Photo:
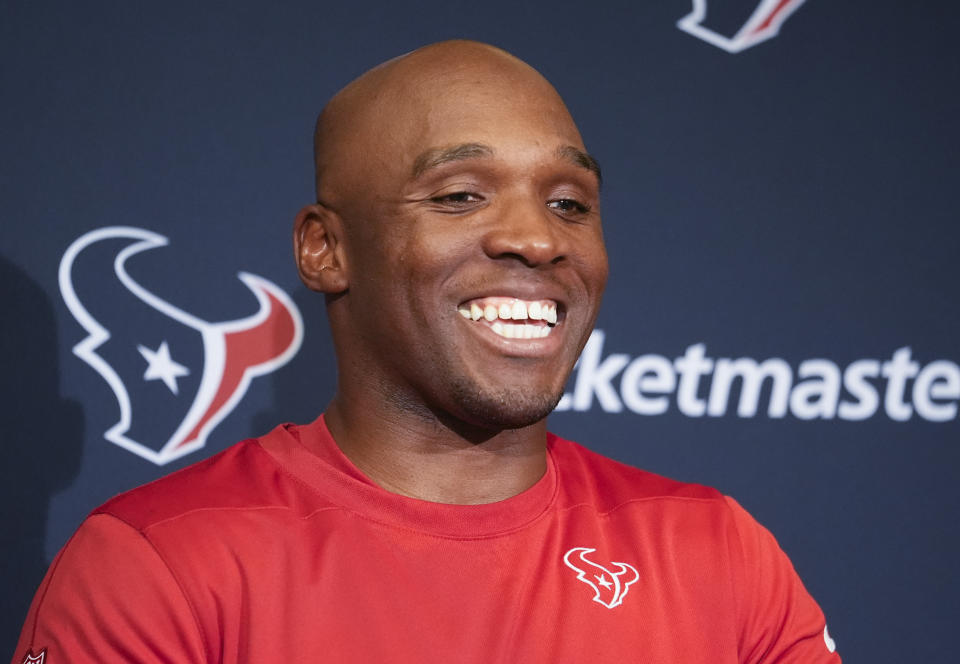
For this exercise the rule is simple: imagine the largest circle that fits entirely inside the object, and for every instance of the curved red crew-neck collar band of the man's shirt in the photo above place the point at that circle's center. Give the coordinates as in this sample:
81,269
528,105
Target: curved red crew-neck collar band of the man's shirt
311,454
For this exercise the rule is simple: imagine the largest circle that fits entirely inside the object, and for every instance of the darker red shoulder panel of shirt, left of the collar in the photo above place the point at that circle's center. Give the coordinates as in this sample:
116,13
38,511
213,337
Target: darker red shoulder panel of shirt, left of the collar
244,476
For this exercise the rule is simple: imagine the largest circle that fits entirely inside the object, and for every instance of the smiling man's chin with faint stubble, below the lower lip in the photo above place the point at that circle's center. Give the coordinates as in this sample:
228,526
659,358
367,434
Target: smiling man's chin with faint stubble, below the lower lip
504,409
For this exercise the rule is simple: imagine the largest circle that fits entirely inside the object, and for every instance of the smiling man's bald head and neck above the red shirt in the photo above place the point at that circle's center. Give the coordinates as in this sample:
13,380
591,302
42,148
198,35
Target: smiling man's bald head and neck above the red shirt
464,263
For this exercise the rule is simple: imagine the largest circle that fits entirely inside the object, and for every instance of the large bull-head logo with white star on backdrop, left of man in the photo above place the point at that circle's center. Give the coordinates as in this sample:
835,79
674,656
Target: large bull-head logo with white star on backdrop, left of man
187,374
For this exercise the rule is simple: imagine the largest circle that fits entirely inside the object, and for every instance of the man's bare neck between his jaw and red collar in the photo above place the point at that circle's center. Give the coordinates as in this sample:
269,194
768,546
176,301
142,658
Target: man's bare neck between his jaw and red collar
437,458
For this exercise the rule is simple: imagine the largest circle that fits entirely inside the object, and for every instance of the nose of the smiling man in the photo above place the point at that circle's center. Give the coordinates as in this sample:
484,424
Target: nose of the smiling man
526,230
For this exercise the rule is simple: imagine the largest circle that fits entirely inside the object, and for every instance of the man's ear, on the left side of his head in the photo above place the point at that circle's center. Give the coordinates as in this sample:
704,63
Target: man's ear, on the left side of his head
319,250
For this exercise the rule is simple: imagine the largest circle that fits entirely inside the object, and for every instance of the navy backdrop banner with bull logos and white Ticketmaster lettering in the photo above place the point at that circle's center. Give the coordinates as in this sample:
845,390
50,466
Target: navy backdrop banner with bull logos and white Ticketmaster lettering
779,205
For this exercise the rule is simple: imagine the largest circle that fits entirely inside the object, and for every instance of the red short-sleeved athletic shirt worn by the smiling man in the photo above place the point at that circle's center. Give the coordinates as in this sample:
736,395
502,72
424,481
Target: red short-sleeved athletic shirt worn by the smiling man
280,550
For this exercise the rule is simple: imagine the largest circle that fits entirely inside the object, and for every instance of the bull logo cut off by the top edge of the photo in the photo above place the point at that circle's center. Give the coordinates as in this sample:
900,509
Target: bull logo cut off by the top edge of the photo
752,23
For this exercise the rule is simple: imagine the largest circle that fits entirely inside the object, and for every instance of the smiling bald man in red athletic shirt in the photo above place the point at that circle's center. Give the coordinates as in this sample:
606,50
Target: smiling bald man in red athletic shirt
428,516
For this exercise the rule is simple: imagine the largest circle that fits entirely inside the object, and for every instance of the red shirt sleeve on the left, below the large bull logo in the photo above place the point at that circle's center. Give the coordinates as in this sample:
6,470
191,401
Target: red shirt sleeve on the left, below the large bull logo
109,597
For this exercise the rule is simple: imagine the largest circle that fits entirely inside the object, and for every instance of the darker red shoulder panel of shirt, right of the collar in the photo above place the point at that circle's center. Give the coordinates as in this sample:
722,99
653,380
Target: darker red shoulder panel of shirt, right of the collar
583,472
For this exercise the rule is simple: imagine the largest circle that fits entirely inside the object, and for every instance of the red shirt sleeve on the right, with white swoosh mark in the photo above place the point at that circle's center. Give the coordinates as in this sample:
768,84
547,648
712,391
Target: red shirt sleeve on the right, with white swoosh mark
780,622
